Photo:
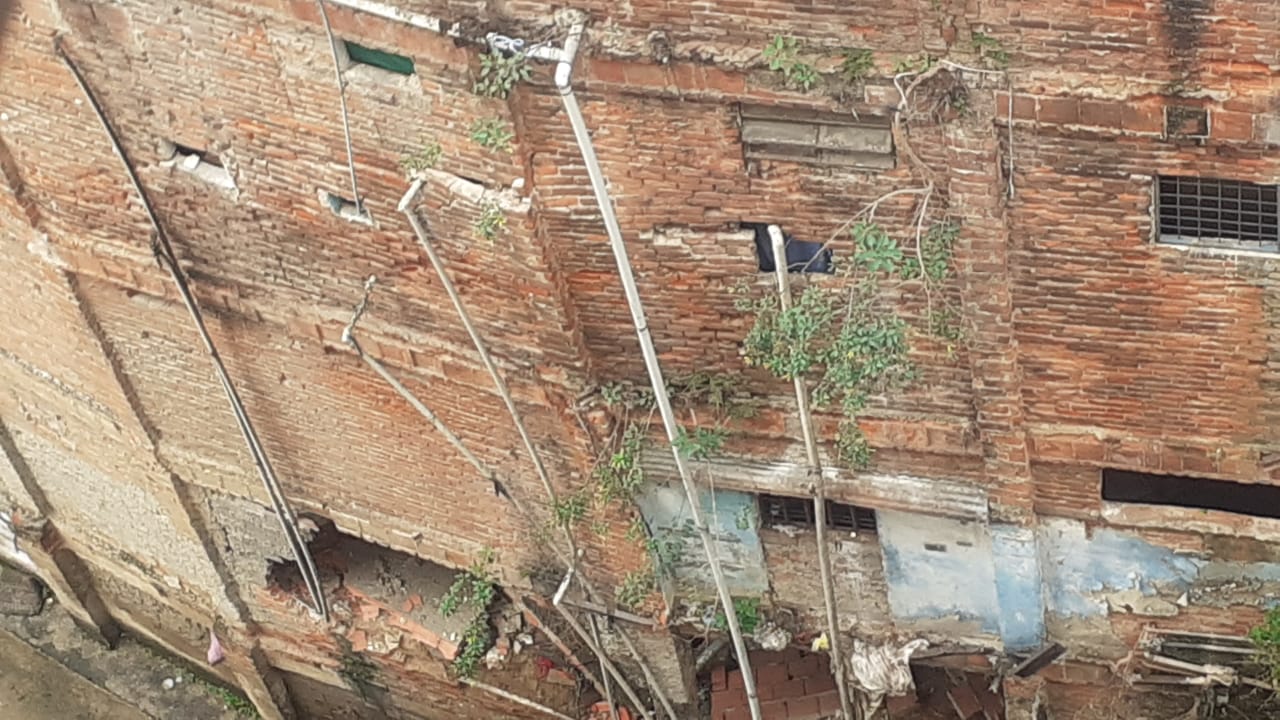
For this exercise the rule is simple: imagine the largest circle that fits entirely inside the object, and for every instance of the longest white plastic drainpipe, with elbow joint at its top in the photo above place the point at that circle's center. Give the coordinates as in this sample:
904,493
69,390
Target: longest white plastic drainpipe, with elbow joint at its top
564,83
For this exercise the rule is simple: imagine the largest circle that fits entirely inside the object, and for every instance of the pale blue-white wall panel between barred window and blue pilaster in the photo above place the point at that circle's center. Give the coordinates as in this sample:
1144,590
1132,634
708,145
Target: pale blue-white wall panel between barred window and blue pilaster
939,569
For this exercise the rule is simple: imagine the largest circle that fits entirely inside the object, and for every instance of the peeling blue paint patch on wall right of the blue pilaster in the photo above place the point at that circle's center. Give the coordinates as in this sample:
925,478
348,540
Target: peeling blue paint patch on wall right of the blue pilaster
1078,568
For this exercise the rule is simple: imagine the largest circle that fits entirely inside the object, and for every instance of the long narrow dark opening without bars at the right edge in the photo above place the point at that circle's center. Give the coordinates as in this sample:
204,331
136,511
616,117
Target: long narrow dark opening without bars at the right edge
1182,491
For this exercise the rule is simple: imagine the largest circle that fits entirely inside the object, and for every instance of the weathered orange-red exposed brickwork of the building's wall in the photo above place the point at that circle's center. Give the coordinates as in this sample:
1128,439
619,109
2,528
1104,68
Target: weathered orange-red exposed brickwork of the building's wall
1089,345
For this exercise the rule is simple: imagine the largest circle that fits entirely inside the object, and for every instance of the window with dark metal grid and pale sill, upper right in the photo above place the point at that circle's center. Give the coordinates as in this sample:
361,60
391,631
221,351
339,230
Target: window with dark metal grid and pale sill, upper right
1219,213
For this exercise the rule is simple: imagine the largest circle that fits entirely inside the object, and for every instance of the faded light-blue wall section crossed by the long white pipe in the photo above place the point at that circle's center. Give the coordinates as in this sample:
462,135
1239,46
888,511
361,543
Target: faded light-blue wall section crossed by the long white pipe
666,511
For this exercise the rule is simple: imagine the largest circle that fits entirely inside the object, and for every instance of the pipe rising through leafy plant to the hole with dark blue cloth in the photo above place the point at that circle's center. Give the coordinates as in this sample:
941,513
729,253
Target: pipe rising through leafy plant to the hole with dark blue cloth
817,479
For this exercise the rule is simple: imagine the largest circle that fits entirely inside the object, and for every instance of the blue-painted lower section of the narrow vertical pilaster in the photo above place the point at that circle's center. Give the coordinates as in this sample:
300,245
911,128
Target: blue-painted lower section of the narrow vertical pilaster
1018,586
